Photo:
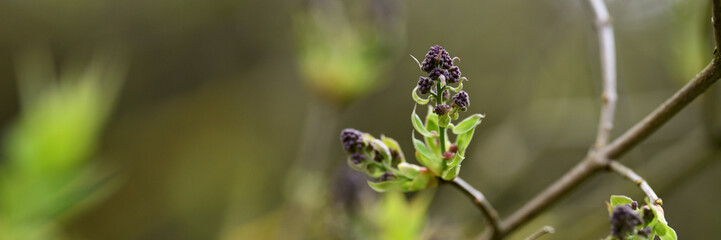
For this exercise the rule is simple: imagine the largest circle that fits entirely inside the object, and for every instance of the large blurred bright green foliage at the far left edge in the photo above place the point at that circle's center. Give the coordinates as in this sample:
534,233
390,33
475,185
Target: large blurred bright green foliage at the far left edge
45,174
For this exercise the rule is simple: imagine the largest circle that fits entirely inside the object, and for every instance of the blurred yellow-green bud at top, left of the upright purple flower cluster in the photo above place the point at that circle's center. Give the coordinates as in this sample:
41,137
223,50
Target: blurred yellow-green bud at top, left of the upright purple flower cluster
342,55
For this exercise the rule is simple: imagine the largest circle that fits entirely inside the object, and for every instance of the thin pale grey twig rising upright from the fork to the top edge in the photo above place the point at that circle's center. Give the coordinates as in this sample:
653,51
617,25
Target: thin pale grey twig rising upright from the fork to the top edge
607,51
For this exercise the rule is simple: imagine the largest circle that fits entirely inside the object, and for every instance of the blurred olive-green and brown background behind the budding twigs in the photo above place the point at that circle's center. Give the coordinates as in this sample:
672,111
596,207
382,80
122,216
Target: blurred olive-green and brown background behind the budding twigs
220,119
